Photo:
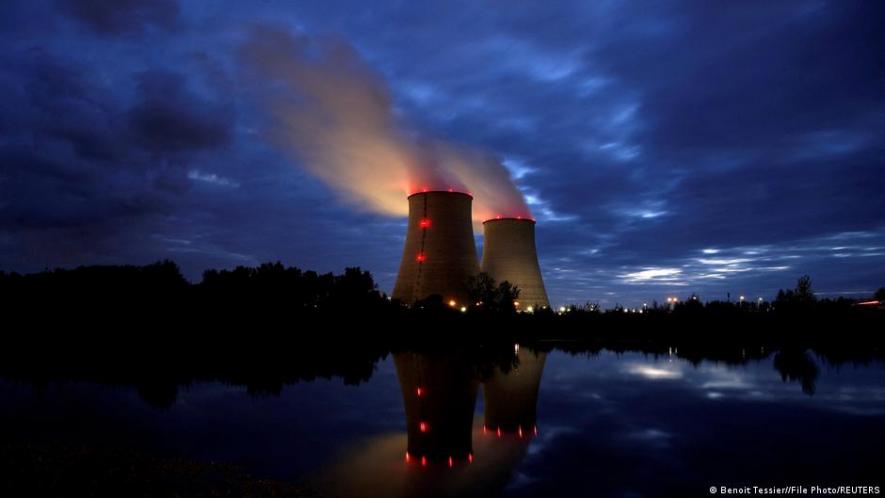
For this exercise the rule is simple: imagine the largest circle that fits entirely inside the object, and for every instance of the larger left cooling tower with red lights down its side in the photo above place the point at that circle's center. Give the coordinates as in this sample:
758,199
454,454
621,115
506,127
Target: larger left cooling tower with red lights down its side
440,253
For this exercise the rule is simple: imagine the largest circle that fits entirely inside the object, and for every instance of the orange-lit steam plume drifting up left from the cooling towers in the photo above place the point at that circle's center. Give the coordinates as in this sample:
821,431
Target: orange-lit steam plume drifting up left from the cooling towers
330,110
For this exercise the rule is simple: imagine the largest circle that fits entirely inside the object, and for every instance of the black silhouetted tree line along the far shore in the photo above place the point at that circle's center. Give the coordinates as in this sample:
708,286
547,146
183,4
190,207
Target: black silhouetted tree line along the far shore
274,290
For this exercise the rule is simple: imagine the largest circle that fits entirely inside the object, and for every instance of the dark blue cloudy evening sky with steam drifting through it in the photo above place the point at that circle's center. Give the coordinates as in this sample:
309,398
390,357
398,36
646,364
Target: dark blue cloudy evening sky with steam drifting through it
663,147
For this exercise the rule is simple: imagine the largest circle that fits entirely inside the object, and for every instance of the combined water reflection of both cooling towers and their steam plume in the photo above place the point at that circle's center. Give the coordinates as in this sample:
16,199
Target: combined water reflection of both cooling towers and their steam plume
447,452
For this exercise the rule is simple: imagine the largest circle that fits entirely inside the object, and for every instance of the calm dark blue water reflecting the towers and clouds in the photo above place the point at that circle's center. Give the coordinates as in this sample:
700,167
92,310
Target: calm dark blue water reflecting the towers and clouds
606,425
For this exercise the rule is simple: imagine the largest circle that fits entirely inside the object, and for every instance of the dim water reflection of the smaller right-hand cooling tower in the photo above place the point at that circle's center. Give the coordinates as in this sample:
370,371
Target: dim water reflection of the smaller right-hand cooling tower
511,399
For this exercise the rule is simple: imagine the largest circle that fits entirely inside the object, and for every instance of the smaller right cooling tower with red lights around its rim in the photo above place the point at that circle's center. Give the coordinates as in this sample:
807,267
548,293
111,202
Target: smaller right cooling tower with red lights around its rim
509,254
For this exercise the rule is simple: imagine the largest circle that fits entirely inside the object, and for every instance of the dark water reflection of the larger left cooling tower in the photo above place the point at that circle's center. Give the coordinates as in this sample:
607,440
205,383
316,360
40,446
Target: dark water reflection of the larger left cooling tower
439,393
